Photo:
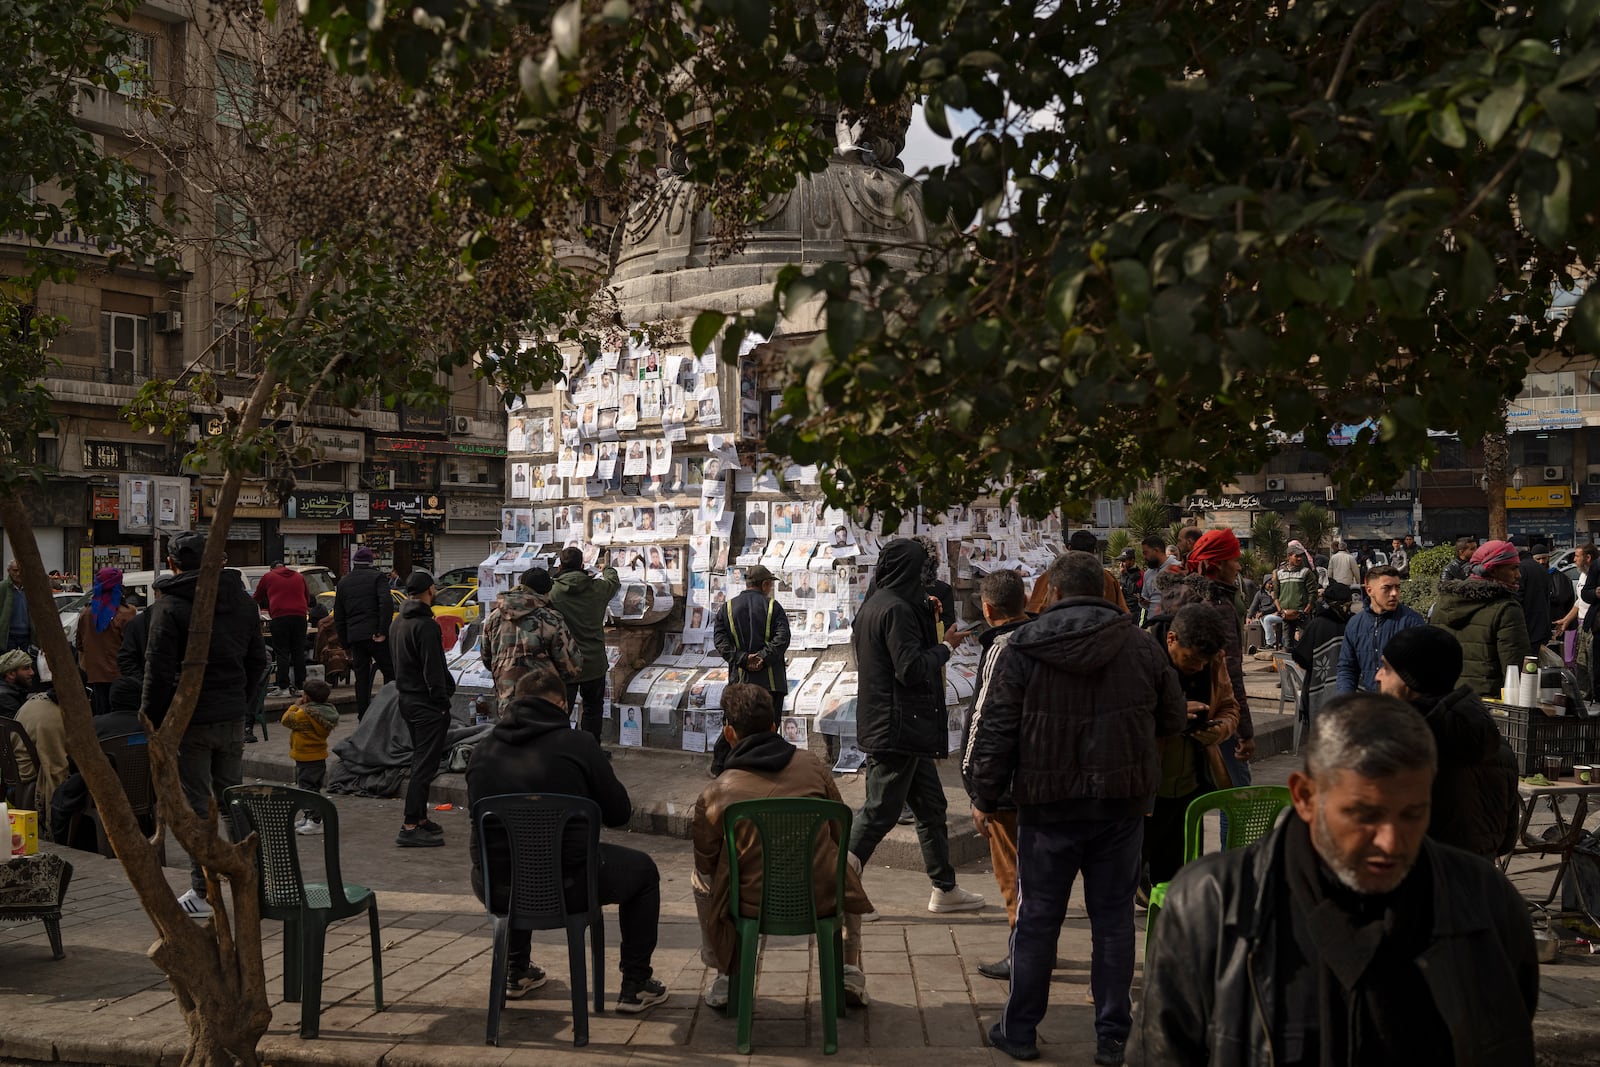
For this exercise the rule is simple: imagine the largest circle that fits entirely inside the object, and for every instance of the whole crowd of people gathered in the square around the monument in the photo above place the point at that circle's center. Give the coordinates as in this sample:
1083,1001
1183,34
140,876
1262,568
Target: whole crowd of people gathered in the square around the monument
1367,927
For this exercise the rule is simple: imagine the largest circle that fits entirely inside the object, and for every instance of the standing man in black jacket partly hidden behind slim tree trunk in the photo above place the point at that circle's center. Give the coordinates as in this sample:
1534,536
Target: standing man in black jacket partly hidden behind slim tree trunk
212,753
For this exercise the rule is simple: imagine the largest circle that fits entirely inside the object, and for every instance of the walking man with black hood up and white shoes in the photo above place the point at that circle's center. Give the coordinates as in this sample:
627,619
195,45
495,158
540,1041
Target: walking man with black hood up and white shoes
900,717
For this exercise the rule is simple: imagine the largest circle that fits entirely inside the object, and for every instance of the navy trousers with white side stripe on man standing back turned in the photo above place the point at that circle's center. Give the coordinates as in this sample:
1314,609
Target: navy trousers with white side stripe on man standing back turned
1049,860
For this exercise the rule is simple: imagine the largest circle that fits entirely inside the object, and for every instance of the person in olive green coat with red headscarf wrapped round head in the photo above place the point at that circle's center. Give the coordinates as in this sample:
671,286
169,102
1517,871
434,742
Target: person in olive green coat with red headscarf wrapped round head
1486,617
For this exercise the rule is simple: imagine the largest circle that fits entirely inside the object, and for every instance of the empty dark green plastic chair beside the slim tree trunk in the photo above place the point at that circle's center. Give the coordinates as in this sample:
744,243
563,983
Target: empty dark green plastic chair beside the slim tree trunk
305,908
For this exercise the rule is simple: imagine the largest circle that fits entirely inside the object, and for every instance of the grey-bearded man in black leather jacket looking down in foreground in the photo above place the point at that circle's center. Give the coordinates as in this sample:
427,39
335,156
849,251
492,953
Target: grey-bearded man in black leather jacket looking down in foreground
1346,935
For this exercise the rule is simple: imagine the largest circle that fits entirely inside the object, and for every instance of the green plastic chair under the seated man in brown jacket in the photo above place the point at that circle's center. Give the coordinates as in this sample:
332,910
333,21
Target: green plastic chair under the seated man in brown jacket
786,829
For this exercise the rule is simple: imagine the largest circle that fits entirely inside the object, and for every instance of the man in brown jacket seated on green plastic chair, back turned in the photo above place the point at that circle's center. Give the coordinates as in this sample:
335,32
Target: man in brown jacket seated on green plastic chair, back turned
762,765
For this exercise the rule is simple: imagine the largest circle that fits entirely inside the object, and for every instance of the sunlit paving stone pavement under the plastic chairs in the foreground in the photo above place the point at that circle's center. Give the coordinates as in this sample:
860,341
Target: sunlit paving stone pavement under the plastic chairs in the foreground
106,1004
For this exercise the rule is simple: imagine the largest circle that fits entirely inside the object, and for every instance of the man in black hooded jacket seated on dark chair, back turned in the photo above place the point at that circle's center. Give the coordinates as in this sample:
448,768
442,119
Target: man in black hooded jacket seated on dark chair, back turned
534,749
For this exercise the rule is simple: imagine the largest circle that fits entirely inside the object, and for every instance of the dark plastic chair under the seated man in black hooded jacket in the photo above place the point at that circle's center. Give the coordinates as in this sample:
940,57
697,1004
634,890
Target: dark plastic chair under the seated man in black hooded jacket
537,826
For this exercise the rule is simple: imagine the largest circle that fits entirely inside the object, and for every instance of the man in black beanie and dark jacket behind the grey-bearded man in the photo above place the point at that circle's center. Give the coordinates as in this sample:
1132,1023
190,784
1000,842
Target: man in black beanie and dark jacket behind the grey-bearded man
1476,786
